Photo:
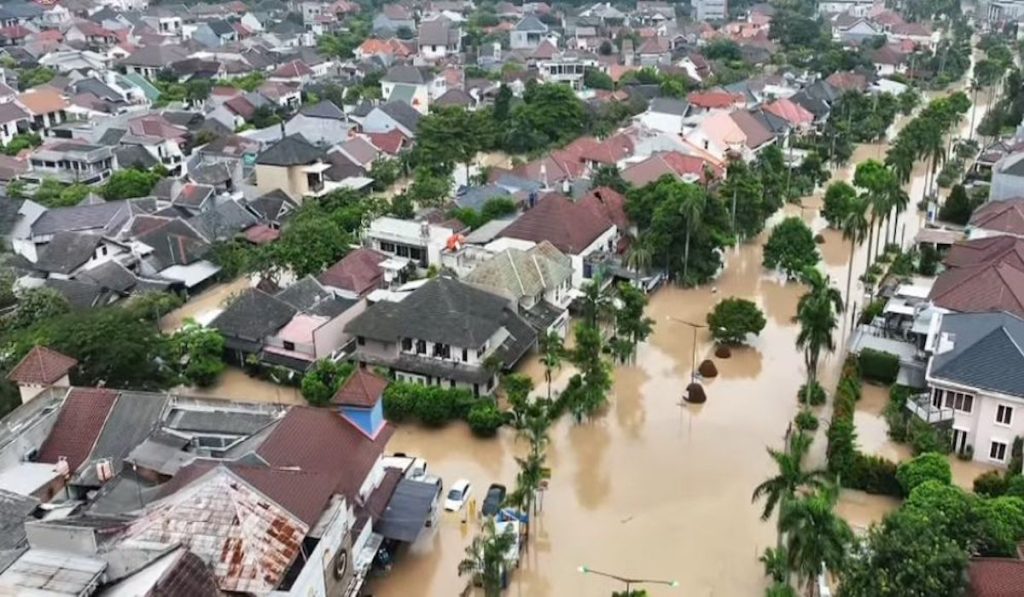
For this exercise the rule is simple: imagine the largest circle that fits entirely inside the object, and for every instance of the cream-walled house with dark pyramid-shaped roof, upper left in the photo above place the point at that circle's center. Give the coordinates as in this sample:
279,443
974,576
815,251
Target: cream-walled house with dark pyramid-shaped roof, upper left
293,165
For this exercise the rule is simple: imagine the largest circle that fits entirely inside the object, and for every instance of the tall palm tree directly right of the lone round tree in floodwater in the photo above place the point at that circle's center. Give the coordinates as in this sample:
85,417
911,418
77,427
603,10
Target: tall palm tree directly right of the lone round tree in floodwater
817,315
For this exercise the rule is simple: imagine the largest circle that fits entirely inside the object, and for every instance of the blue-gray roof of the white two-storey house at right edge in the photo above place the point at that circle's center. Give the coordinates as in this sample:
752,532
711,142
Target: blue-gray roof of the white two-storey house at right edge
987,352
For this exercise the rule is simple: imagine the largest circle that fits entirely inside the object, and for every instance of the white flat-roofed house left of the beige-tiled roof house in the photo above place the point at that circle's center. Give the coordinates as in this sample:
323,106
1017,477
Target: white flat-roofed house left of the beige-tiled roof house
419,243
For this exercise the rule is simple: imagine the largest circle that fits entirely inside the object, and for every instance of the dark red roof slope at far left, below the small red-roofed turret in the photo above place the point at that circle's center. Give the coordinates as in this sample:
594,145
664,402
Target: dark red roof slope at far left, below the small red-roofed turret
78,427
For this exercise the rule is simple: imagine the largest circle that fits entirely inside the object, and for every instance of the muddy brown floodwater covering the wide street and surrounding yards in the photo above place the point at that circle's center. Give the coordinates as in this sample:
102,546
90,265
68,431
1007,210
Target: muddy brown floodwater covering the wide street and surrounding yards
655,488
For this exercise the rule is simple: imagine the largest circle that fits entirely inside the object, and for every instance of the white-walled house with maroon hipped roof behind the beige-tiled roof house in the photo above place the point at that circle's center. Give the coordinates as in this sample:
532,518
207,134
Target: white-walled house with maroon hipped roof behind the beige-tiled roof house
578,229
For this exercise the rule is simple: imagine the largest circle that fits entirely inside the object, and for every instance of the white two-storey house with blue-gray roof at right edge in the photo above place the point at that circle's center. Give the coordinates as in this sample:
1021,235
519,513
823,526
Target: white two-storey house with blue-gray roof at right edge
975,382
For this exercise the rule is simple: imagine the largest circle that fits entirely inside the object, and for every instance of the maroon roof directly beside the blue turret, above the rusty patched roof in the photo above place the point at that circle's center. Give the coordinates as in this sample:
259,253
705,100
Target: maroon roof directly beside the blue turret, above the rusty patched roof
321,441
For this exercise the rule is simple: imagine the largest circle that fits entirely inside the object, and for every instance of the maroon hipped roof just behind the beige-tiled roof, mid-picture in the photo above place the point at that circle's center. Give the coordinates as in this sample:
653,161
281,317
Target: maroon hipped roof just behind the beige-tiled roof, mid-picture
569,226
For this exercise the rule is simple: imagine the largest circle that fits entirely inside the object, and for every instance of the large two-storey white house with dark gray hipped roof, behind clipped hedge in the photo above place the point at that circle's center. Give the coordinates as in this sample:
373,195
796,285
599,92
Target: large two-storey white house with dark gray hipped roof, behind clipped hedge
445,333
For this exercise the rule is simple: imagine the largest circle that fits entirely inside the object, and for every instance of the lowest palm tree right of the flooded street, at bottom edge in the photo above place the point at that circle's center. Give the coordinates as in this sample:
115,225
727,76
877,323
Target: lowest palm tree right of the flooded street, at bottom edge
816,536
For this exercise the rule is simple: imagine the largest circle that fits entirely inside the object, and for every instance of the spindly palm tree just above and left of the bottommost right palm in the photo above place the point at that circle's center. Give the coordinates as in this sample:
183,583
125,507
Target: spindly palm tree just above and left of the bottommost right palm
783,488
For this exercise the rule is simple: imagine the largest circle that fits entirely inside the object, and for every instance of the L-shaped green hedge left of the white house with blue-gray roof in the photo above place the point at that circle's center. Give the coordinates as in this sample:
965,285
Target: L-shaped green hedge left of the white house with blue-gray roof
856,471
